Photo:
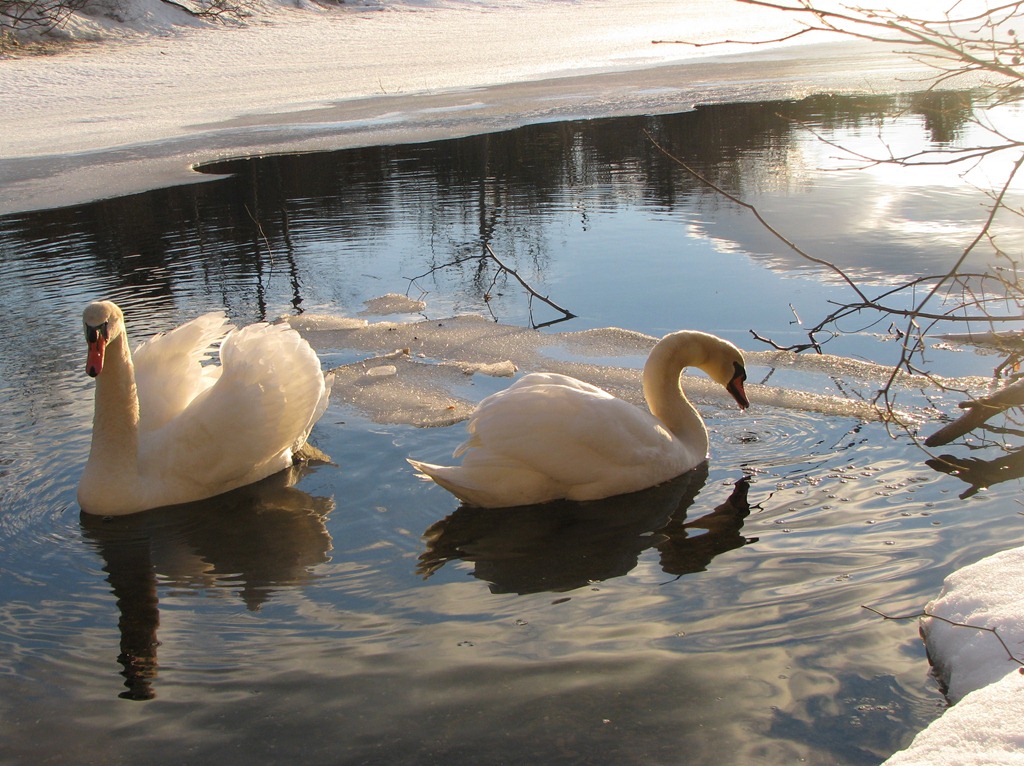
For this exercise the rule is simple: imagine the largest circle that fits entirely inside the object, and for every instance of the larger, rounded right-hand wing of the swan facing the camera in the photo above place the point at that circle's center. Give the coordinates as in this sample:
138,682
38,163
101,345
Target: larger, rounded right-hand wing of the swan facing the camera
245,425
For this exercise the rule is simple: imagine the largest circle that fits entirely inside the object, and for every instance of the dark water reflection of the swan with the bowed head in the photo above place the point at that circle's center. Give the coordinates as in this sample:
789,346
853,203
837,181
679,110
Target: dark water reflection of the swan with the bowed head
563,546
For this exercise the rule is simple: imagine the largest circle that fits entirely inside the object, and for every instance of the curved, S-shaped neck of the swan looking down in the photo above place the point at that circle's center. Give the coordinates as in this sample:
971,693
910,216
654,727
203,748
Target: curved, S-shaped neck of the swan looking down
664,393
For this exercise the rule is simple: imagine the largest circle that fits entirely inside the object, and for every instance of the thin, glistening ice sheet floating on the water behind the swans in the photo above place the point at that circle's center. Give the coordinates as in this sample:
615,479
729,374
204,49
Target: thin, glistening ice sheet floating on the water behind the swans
419,373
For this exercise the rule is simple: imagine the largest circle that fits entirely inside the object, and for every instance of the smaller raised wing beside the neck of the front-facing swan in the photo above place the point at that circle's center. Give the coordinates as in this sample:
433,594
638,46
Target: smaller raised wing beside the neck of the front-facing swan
169,373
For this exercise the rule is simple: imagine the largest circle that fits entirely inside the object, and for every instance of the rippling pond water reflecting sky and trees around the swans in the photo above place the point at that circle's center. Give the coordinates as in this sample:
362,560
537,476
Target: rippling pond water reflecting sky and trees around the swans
350,613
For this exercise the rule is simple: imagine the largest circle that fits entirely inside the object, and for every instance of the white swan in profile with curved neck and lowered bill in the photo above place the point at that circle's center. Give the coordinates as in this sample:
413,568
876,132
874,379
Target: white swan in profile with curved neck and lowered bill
549,437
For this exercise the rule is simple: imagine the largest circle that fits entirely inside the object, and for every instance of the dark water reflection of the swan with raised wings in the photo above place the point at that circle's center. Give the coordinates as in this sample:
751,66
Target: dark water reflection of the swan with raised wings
257,539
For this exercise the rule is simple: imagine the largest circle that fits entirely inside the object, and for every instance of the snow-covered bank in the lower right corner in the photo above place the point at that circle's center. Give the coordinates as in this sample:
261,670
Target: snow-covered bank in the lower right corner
984,675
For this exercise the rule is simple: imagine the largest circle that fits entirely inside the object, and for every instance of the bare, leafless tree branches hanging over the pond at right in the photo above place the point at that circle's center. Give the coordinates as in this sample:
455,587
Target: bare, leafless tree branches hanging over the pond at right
953,44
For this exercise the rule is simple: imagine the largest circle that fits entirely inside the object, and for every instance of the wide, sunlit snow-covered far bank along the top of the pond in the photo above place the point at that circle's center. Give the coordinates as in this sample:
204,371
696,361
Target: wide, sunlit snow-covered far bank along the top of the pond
140,111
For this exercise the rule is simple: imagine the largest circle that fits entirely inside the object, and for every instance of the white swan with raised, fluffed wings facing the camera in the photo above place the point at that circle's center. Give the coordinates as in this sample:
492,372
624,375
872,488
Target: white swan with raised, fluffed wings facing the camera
169,430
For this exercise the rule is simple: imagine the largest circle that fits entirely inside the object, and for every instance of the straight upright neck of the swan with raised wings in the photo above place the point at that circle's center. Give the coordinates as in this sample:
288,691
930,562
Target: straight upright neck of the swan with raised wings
115,422
